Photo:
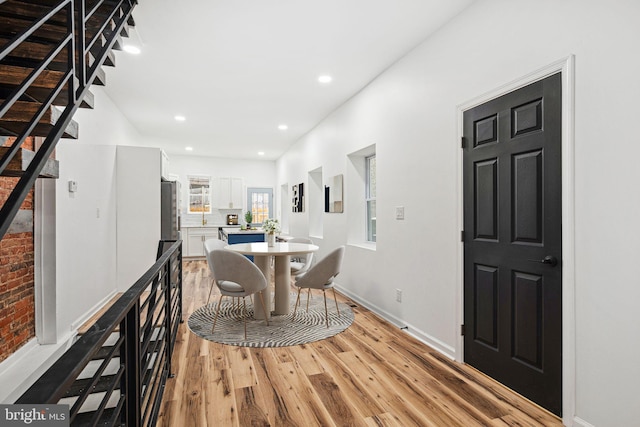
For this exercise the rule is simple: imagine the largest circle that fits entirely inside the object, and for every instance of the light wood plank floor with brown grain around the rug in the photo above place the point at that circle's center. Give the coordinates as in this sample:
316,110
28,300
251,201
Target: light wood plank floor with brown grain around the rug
370,375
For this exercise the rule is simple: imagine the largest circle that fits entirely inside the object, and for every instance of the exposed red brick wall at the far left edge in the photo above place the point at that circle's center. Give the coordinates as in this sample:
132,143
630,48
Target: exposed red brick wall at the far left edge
17,310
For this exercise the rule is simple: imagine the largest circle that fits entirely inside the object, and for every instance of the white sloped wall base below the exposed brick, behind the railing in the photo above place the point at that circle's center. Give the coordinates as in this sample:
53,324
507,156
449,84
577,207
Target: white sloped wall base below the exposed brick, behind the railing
20,370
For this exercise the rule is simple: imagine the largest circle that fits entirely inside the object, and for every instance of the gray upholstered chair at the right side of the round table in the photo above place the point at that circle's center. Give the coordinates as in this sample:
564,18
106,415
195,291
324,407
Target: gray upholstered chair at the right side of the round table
321,276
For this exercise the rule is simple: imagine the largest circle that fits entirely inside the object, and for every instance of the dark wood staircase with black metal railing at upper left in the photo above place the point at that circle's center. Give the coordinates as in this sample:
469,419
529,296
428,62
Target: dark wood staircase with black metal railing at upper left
51,52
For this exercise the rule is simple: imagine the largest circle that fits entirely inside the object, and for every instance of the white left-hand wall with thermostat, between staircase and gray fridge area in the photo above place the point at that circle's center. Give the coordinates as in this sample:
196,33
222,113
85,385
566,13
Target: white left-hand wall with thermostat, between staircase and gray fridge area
86,238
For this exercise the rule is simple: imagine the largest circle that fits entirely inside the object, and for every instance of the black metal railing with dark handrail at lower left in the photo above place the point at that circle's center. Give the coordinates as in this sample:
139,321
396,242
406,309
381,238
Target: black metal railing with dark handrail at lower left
116,372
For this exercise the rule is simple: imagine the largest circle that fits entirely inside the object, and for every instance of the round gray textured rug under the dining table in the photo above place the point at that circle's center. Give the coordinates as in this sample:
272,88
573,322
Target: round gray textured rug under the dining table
282,331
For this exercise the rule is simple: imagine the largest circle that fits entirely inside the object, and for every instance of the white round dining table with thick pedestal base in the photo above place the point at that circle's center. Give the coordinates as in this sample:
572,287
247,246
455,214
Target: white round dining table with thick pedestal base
262,254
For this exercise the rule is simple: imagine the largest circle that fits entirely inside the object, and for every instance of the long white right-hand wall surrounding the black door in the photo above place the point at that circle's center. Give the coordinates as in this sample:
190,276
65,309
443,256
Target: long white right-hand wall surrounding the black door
410,113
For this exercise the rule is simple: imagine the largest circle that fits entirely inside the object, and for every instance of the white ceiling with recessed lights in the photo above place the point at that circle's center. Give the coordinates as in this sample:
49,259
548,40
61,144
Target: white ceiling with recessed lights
236,69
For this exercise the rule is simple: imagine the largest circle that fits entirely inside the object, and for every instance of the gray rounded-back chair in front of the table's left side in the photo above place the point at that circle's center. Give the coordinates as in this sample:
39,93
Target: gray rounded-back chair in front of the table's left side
236,276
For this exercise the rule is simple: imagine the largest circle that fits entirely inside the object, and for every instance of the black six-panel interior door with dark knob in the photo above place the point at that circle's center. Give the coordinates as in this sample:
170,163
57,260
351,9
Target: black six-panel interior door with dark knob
513,242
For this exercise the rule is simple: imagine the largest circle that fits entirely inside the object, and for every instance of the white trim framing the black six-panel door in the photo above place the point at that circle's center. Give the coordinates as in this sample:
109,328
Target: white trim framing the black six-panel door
566,66
